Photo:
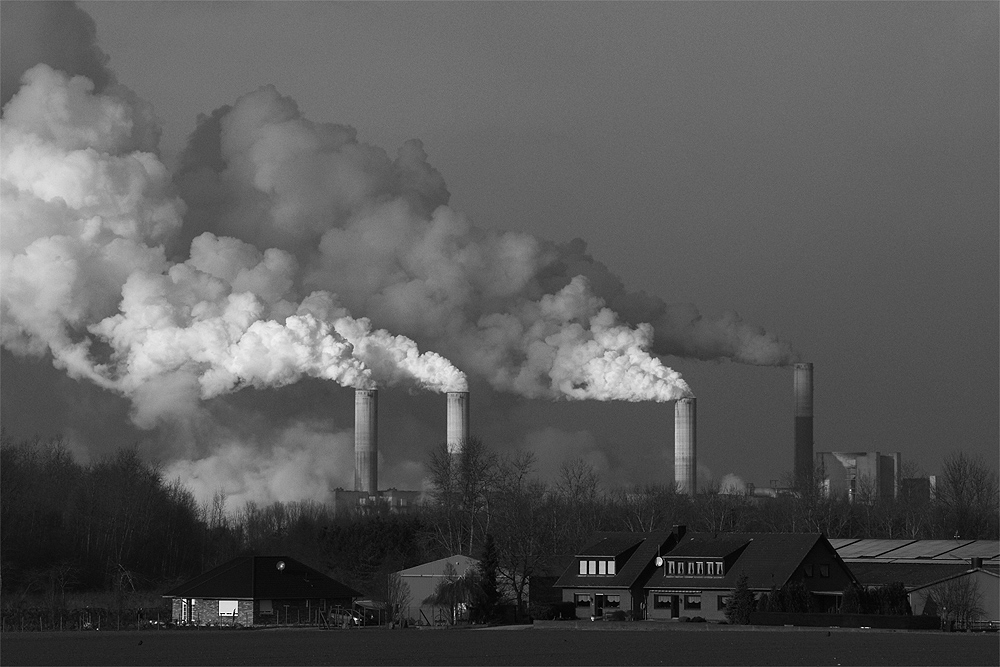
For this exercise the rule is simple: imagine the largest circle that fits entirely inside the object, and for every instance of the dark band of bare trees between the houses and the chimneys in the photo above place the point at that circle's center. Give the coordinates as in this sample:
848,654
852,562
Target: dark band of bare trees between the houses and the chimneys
118,525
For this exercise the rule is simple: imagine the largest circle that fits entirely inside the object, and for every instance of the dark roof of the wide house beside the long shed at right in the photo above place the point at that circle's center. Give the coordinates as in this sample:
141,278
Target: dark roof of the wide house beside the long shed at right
768,559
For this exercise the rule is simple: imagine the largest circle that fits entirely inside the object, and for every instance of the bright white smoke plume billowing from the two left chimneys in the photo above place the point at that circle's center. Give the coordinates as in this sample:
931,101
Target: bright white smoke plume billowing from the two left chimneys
86,209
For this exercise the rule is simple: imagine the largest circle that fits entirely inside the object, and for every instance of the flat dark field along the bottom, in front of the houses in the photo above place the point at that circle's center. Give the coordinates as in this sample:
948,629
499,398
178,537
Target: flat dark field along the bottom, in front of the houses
534,646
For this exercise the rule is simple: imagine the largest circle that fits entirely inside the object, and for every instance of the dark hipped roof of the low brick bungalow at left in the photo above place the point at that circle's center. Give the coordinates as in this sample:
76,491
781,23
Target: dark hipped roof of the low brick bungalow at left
258,577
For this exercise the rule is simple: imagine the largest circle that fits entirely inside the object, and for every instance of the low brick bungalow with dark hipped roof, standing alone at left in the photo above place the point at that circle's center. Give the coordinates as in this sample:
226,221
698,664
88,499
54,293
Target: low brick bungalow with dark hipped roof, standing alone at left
260,590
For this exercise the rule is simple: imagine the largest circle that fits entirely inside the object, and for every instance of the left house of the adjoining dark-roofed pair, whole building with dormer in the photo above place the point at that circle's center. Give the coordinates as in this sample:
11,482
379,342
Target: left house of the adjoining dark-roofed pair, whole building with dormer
608,574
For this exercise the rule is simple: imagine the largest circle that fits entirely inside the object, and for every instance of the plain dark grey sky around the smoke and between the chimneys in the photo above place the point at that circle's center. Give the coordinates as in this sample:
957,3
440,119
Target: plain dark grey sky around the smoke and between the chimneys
828,170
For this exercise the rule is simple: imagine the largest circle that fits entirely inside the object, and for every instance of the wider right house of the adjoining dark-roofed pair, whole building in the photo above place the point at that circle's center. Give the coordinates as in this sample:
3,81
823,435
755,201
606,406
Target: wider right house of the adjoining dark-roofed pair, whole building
698,575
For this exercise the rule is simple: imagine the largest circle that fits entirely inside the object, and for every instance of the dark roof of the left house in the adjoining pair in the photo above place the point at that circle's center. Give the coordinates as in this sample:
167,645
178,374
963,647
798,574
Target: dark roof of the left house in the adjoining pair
645,548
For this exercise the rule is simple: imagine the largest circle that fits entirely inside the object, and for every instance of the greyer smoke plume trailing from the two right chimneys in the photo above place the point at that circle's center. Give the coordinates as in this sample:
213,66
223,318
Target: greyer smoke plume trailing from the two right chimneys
528,316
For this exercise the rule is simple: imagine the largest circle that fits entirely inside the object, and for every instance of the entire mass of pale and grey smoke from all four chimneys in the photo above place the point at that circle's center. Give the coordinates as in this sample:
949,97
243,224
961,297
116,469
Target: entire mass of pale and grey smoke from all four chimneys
243,268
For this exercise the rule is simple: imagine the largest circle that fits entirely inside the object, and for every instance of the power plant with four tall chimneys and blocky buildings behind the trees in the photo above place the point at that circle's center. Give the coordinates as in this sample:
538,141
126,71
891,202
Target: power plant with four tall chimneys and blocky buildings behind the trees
840,473
